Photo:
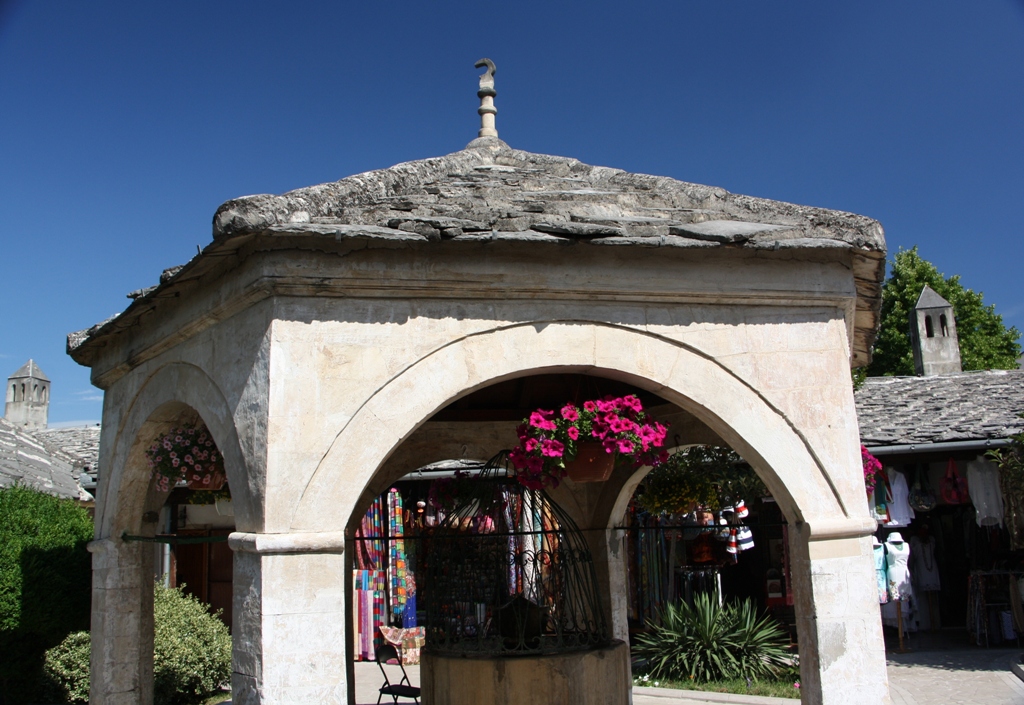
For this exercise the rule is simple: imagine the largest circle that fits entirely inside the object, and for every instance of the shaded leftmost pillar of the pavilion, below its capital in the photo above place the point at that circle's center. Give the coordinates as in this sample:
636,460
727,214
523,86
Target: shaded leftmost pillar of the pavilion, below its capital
122,624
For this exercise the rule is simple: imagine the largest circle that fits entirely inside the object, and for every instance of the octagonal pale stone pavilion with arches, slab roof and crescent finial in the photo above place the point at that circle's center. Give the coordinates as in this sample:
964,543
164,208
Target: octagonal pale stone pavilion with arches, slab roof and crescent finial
322,335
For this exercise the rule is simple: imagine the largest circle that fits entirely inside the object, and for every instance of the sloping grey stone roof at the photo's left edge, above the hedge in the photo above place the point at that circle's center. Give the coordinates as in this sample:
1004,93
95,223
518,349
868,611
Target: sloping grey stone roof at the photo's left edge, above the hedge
24,460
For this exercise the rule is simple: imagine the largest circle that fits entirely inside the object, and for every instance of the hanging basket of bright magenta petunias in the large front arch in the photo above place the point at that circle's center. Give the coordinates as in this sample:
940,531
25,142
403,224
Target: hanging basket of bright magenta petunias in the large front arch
617,426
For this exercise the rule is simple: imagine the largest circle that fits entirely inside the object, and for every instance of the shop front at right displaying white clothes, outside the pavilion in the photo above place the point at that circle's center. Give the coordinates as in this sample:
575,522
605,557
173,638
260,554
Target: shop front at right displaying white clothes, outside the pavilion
949,556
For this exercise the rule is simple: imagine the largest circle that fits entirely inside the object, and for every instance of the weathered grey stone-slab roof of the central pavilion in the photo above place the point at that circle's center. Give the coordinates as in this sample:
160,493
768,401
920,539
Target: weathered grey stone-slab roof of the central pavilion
491,193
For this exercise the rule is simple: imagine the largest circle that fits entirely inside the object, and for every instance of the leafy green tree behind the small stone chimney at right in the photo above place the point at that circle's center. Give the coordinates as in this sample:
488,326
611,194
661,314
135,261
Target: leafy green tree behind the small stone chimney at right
985,342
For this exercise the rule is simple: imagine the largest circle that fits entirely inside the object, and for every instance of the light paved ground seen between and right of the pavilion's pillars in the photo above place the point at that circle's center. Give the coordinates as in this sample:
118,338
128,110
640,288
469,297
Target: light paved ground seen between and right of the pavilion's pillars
975,677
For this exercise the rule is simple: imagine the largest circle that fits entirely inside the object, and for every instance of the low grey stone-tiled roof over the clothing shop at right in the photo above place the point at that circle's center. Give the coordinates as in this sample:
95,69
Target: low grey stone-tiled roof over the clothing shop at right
965,406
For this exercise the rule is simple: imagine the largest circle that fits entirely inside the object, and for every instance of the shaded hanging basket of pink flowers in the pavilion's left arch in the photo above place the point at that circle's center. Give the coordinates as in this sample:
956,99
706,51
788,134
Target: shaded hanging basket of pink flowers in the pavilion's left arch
187,453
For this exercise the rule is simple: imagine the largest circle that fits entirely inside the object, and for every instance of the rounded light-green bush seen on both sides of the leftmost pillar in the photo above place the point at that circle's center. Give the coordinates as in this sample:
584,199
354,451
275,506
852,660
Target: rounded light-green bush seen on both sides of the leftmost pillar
192,655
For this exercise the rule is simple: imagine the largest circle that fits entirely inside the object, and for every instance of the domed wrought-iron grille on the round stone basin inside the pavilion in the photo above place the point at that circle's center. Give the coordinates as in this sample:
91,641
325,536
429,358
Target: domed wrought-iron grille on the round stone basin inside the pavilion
509,573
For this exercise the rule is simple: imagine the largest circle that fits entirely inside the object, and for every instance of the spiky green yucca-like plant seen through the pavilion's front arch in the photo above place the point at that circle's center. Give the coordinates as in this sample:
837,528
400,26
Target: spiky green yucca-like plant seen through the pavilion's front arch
708,643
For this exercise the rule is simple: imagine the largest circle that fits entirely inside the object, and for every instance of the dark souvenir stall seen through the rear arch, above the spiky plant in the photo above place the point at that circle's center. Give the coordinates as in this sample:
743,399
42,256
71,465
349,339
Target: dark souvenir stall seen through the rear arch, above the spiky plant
706,524
